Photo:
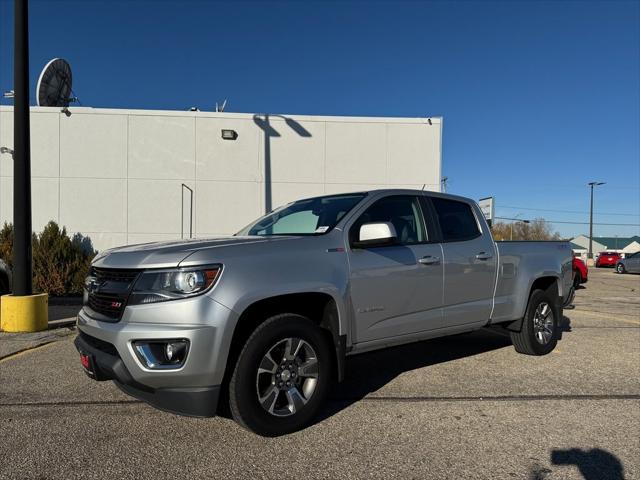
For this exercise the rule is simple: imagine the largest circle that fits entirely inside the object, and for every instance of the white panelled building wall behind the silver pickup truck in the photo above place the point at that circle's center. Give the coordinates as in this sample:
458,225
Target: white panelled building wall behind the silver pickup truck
117,175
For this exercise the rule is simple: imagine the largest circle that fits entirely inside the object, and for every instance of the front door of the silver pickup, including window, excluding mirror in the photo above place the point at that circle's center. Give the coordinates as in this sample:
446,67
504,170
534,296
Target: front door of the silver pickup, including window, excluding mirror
395,289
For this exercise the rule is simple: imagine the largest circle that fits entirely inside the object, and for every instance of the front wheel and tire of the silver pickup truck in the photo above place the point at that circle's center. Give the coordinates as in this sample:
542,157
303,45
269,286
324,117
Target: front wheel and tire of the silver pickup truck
286,409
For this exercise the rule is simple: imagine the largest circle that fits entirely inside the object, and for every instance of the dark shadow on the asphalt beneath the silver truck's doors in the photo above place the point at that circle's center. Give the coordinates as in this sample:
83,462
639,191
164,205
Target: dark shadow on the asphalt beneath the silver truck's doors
368,372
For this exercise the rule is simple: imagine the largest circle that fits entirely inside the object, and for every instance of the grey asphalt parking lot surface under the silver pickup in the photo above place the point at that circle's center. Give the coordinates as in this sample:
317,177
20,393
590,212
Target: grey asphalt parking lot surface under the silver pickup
462,407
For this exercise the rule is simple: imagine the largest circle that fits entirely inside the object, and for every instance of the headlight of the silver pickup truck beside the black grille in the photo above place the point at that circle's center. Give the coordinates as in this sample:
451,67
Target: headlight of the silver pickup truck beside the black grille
162,285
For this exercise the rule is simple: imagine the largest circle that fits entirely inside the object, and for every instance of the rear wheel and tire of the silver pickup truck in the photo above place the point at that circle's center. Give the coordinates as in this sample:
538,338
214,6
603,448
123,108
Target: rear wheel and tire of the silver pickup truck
532,340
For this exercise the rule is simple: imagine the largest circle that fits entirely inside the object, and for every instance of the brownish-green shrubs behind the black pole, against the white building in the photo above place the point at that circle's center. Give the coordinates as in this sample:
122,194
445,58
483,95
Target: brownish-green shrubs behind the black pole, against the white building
60,263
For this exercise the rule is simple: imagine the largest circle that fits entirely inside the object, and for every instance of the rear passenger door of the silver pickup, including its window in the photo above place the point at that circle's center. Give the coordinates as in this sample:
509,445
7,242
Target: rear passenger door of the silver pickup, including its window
469,262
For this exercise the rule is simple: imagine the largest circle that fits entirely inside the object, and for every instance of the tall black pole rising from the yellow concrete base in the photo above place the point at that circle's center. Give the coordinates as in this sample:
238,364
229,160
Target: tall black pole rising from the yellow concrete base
22,272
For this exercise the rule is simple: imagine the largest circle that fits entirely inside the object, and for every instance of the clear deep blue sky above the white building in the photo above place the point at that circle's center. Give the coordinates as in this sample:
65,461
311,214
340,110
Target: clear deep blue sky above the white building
538,98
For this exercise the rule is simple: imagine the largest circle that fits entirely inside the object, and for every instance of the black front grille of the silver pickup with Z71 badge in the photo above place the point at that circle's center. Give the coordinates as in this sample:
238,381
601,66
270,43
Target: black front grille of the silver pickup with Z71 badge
108,291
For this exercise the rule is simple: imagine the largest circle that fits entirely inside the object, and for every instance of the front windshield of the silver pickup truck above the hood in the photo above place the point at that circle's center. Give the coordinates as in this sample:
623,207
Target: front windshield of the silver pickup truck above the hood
313,216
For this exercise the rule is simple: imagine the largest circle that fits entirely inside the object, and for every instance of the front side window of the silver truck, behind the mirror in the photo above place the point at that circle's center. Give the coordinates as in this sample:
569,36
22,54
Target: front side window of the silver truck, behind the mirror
402,211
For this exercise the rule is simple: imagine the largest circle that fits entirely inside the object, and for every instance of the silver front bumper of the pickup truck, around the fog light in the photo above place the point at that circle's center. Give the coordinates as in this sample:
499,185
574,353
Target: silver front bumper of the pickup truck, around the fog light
190,389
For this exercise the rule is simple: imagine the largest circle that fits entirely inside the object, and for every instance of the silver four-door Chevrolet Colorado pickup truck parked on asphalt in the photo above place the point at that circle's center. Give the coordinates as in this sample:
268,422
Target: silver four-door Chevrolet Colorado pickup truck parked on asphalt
264,319
